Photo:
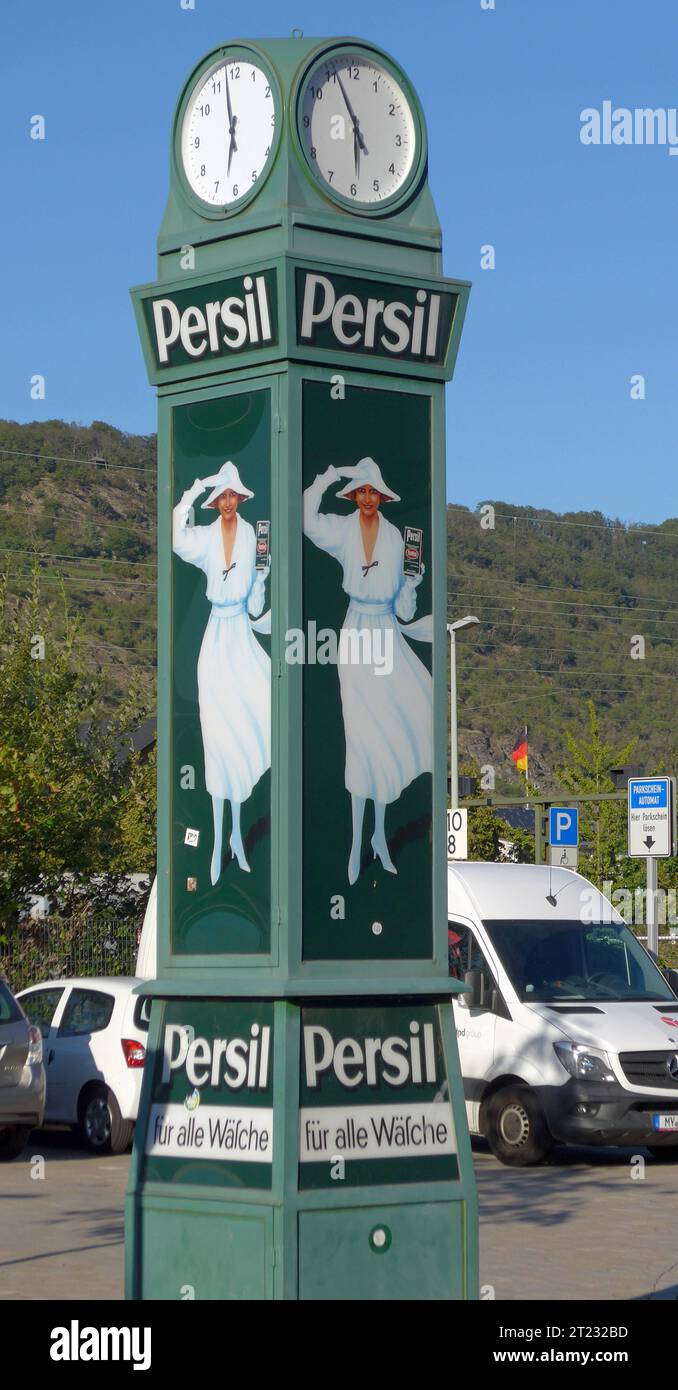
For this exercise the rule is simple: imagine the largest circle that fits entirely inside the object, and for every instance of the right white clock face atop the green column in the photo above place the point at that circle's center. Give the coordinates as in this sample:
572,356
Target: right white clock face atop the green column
358,129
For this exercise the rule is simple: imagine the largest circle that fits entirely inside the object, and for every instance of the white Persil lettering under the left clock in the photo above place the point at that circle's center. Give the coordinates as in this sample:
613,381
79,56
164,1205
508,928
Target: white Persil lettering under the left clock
220,326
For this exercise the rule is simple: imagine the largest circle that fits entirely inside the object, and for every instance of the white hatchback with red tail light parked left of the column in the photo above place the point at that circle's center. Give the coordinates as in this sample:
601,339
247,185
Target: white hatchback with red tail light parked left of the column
95,1047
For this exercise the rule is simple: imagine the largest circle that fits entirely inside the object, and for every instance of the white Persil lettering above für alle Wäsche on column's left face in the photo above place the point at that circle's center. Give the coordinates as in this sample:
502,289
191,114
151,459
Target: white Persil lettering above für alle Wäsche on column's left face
233,1063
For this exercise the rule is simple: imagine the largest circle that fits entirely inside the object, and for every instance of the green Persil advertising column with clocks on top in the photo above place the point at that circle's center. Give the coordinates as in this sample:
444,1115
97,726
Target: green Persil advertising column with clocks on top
302,1131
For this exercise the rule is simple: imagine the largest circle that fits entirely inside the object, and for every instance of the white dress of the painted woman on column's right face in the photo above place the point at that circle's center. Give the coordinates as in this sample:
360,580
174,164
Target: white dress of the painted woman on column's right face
387,718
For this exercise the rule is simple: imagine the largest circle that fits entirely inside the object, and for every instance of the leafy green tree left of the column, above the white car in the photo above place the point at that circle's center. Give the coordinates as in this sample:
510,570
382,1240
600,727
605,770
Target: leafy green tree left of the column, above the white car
69,787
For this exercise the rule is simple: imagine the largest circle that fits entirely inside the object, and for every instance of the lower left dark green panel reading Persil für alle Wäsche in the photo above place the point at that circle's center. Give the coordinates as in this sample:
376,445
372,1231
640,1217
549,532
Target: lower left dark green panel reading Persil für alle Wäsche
212,1093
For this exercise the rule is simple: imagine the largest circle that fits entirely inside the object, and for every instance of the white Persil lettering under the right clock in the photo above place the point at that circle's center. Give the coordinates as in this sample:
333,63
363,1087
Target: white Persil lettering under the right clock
373,323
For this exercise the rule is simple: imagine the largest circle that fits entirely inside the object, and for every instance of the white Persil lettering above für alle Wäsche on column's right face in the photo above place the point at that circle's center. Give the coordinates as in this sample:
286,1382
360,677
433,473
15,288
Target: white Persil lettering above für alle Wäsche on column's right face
392,1061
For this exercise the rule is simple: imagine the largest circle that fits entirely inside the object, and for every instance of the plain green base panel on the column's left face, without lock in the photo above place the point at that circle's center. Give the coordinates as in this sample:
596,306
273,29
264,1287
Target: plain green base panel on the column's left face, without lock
194,1250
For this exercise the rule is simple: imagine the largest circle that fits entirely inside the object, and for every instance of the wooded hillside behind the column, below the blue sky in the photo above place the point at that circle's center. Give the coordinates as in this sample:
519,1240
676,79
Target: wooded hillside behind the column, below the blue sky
561,598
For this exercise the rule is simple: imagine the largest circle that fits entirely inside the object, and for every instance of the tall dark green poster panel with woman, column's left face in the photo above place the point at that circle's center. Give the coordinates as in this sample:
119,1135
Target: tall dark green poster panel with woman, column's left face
222,686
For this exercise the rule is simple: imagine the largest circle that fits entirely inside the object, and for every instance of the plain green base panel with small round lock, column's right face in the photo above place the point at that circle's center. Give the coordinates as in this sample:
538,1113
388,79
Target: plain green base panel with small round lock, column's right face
383,1253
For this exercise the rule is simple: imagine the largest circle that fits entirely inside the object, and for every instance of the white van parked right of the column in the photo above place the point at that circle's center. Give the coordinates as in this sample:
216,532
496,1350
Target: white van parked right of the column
570,1032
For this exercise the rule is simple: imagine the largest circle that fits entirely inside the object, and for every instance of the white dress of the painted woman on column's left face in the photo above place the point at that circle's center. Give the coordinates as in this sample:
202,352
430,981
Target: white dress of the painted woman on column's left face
234,672
